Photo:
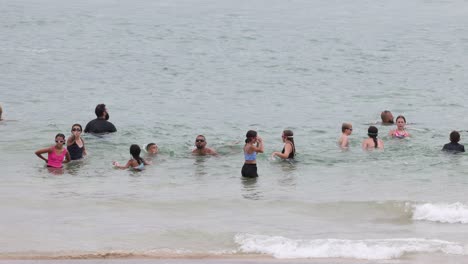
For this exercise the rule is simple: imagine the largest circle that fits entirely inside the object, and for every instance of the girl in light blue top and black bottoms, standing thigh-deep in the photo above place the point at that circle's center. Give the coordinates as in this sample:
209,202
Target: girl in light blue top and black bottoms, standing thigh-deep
253,145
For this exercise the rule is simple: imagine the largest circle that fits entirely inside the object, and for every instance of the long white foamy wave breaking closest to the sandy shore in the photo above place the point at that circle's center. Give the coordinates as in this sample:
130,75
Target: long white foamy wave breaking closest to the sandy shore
372,249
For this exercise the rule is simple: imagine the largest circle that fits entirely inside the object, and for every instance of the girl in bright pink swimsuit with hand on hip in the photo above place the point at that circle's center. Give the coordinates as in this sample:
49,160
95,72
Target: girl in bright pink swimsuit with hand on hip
55,154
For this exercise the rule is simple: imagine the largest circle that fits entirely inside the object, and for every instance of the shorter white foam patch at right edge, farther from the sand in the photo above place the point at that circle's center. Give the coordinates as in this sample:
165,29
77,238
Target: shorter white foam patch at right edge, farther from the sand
444,213
